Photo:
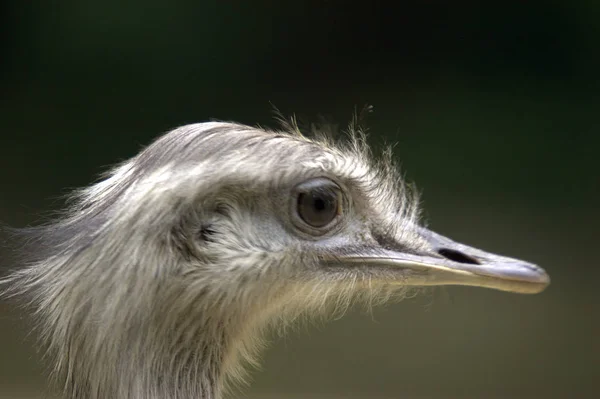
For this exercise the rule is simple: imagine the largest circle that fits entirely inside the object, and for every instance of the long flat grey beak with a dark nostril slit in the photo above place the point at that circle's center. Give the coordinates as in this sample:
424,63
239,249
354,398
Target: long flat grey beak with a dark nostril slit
451,263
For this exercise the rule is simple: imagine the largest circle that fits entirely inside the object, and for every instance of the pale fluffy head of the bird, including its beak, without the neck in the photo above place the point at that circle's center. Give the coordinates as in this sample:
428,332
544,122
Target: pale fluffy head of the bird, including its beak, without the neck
244,204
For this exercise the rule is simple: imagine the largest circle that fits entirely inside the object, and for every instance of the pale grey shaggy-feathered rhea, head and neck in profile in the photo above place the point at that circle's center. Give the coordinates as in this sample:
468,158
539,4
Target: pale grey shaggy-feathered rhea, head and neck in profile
161,279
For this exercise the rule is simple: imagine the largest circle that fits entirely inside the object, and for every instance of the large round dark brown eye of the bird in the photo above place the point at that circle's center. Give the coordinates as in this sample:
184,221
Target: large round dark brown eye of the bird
318,202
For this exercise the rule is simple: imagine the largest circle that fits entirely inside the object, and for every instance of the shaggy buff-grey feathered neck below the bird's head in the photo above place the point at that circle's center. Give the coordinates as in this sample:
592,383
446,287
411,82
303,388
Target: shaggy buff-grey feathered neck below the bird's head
164,343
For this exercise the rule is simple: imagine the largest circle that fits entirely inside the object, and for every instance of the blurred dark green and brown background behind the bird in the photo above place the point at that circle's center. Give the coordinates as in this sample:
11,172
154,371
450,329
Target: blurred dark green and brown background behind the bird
494,110
